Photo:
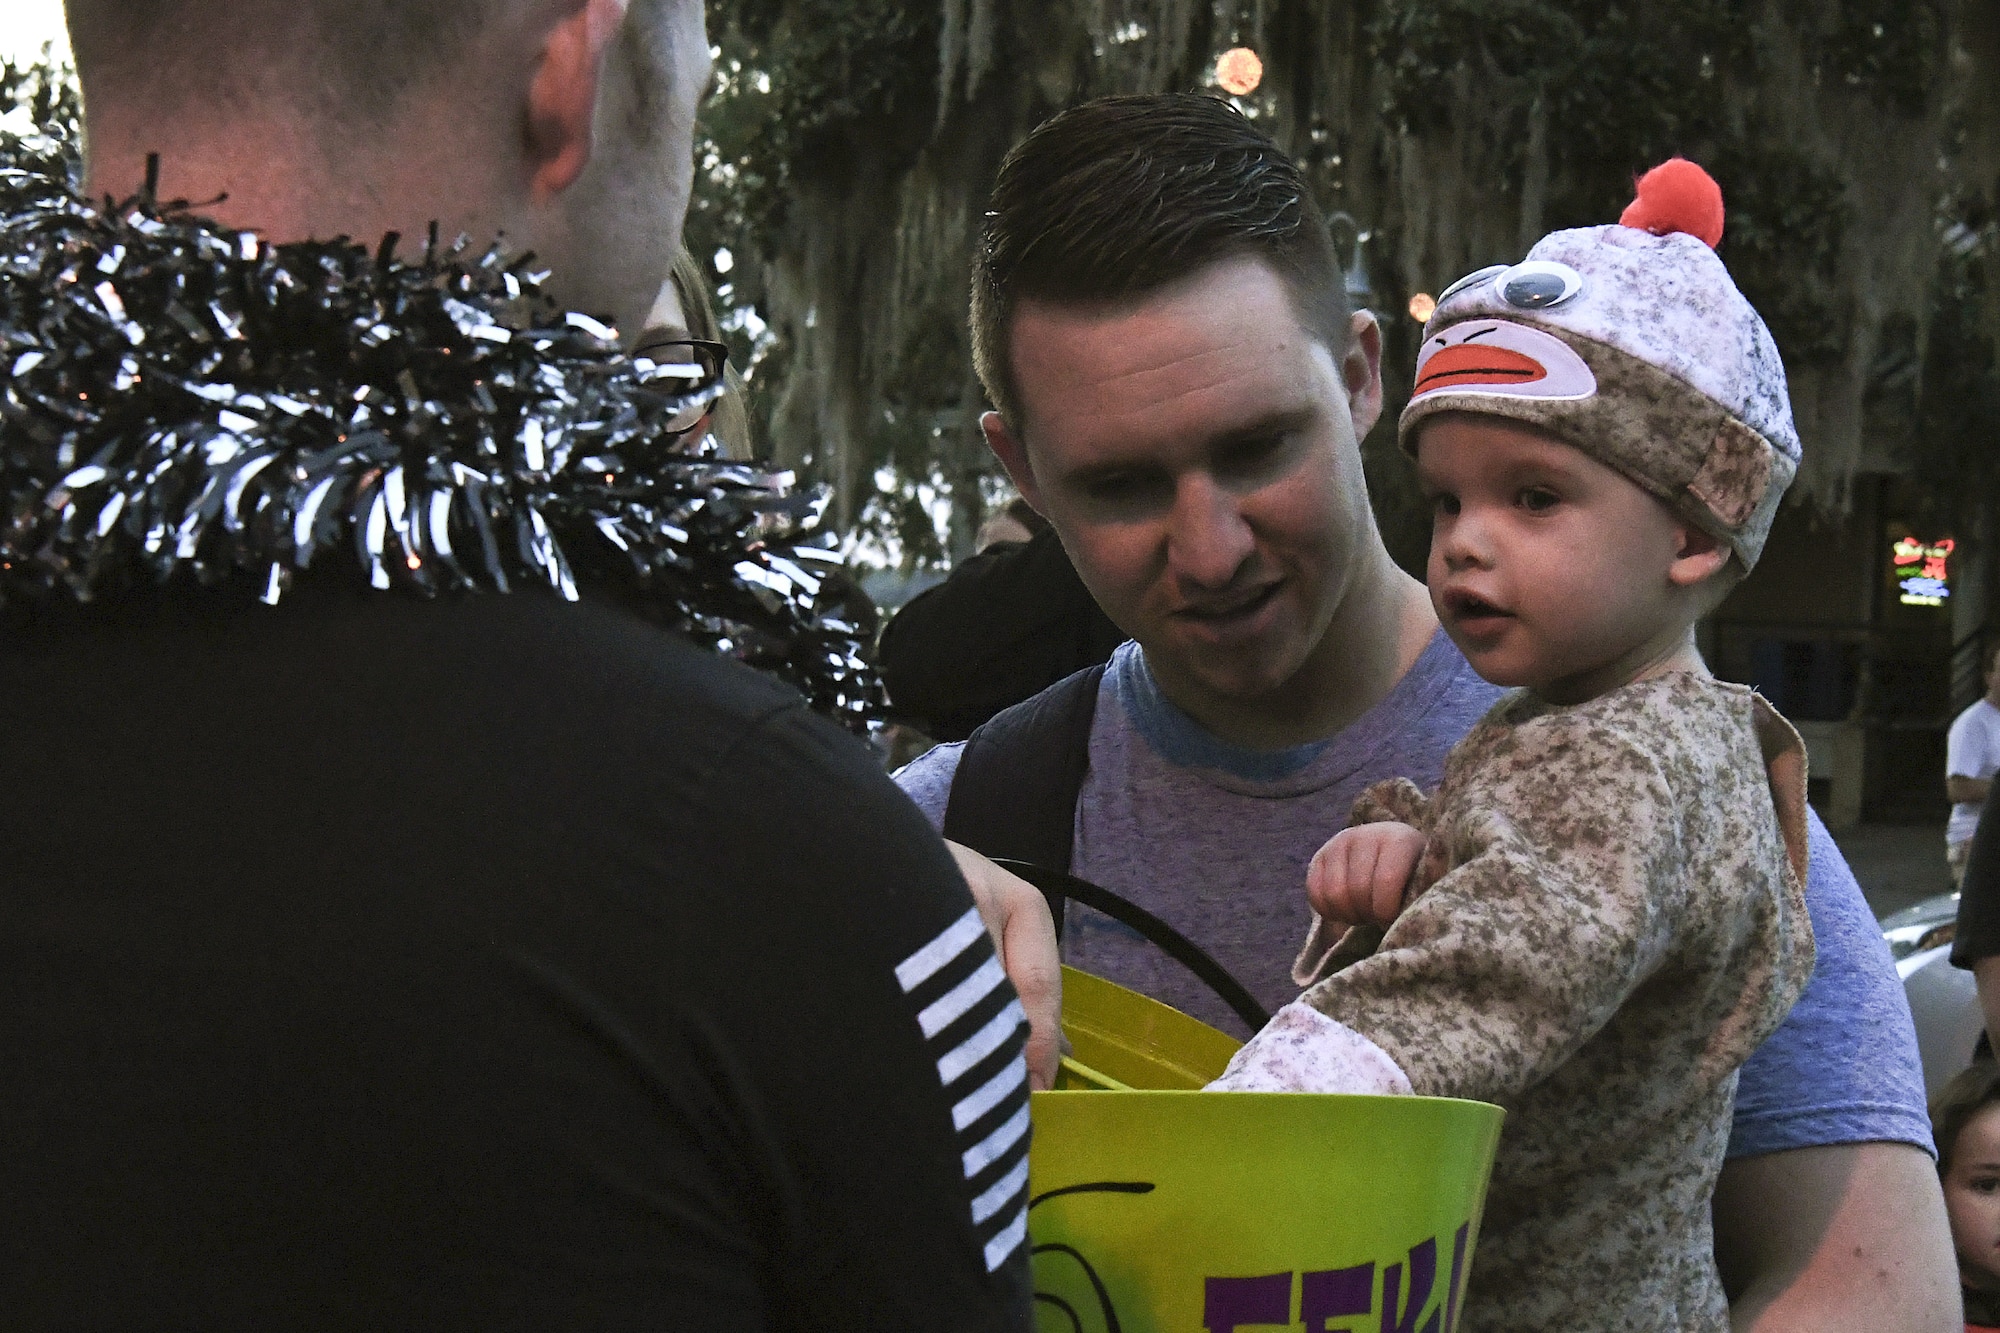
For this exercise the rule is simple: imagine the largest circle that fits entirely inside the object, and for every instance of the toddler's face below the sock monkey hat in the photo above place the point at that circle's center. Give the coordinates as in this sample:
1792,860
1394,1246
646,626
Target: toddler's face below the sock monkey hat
1547,567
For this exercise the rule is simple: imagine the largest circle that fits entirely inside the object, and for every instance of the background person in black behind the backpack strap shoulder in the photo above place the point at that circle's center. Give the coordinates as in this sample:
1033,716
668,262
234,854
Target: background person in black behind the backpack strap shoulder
1005,625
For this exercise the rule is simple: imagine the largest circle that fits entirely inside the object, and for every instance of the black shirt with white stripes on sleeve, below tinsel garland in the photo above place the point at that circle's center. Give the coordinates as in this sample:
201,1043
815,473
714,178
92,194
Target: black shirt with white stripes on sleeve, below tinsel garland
479,966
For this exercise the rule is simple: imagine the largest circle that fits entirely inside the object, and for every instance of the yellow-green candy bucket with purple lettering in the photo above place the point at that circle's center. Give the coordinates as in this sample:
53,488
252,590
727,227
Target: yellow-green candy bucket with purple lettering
1157,1208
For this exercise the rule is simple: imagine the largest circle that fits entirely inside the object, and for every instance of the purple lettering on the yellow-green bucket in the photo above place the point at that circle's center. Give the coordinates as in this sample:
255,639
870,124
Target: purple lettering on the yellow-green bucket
1333,1300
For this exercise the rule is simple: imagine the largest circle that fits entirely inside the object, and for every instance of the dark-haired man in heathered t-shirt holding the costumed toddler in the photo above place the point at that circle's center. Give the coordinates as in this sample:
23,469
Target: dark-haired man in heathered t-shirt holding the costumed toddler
1183,391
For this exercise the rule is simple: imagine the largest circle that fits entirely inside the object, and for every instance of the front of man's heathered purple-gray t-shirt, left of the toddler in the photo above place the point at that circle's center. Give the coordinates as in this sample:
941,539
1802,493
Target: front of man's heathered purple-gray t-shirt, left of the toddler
1213,838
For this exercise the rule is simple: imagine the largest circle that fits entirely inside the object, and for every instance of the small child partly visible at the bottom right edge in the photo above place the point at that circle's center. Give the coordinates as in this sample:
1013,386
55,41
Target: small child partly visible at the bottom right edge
1967,1124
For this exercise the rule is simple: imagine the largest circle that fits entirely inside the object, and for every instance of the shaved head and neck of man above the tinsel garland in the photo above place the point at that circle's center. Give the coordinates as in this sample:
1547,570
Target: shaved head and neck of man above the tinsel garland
563,127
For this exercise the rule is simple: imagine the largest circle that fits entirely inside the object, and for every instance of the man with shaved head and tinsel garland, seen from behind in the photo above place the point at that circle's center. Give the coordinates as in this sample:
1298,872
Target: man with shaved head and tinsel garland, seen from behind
415,918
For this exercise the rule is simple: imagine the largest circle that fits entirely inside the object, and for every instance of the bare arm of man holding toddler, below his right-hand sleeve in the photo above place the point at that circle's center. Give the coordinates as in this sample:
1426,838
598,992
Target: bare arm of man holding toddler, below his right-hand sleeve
1827,1240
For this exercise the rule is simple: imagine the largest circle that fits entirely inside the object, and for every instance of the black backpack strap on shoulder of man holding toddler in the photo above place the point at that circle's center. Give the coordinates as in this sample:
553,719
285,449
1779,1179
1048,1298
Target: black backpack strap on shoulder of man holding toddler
1021,774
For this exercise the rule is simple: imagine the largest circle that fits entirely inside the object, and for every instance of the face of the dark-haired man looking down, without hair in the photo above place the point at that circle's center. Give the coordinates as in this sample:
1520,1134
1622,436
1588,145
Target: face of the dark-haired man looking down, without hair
1199,457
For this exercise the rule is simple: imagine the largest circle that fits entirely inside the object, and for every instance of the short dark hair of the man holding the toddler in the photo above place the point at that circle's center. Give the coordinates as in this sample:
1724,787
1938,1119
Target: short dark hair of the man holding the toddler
1123,197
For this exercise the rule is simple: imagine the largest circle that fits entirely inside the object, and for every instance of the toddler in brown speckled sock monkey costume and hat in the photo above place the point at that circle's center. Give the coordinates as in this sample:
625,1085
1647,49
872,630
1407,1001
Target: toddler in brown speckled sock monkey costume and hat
1601,912
